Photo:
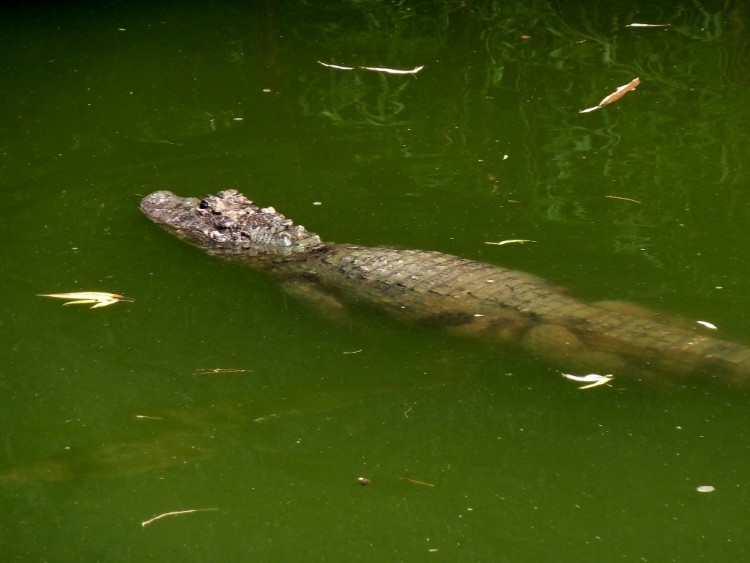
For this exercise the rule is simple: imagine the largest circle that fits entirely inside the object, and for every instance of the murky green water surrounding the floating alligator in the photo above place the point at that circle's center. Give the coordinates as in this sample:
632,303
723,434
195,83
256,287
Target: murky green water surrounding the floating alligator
472,455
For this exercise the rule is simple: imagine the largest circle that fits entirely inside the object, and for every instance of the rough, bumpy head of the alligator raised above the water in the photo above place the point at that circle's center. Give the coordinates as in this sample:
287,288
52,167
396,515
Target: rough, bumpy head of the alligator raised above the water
228,224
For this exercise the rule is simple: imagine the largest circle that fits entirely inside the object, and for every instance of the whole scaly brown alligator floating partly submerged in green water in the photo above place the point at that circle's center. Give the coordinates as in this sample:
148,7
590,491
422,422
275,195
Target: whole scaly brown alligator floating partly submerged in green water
456,294
